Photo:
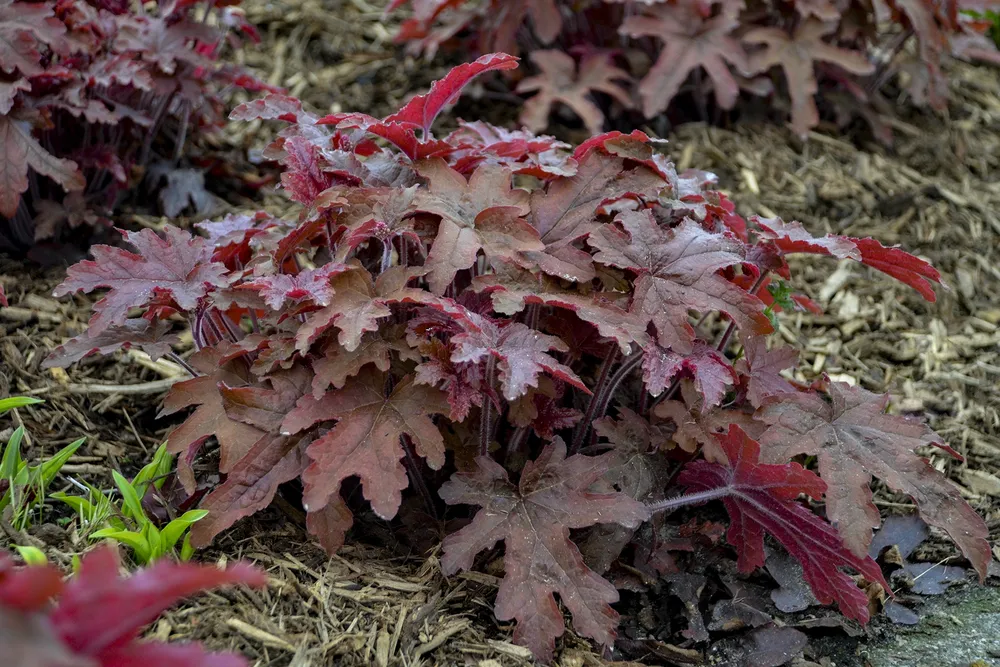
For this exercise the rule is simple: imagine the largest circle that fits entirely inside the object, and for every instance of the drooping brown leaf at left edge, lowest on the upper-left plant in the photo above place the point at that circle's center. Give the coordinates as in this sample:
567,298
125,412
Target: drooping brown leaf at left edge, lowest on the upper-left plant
22,151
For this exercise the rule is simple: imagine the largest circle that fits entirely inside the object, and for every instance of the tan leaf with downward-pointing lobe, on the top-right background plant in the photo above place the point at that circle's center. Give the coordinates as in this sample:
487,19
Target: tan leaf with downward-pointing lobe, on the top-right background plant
797,55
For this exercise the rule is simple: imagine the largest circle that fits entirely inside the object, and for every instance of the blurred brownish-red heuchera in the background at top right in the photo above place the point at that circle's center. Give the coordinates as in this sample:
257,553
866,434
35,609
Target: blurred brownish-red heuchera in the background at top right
847,48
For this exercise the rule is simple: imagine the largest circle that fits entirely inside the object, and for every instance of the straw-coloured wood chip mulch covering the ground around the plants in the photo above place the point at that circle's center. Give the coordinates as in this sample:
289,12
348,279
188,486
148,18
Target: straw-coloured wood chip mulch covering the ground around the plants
936,192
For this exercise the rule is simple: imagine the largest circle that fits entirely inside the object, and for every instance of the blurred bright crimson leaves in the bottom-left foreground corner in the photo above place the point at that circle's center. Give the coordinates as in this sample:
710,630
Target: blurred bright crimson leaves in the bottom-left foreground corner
94,618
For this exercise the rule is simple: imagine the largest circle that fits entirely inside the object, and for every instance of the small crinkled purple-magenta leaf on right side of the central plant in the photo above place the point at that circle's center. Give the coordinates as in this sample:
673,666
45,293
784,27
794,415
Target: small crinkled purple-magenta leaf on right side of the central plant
711,372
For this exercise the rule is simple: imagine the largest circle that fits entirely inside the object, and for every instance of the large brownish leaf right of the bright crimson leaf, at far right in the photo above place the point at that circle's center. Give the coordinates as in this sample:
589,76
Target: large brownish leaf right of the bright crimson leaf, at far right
854,440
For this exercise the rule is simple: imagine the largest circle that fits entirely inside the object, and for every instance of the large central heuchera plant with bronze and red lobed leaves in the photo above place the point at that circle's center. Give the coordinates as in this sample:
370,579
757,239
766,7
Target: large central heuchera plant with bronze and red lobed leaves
554,332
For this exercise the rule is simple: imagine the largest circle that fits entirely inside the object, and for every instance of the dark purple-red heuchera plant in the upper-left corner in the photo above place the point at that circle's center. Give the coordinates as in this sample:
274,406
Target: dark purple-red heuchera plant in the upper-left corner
87,88
